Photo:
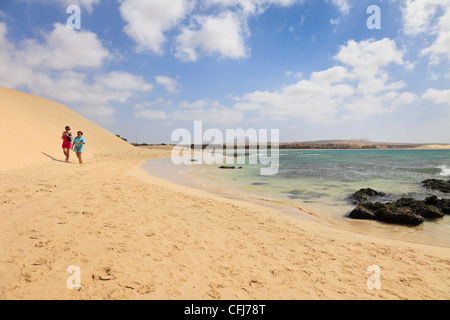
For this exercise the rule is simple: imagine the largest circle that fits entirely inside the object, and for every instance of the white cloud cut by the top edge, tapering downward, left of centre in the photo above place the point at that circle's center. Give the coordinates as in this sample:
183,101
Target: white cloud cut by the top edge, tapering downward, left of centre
148,20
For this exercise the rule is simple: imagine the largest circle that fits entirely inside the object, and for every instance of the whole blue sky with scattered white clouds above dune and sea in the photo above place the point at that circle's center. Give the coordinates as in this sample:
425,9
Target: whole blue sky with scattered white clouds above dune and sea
311,68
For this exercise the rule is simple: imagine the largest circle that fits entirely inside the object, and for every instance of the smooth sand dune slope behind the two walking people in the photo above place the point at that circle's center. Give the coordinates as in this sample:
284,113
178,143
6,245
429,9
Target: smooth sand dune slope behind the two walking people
31,127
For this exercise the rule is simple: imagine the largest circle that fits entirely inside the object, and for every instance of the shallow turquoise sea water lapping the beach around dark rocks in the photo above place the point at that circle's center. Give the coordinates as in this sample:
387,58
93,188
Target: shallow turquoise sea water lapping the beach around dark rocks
320,182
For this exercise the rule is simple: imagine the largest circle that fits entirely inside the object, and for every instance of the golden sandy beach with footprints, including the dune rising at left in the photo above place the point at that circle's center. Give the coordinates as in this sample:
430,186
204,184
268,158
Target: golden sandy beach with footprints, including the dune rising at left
135,236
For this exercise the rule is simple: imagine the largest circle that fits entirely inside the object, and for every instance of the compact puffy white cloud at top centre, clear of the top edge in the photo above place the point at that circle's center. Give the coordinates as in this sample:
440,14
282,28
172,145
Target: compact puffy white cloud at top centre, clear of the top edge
223,35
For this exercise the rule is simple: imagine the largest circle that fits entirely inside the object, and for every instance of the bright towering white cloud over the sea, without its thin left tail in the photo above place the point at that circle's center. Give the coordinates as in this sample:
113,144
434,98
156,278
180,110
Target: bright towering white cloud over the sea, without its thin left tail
359,87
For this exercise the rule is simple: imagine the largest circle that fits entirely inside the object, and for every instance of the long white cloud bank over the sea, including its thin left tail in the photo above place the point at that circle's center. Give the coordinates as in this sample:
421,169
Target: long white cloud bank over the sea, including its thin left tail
359,85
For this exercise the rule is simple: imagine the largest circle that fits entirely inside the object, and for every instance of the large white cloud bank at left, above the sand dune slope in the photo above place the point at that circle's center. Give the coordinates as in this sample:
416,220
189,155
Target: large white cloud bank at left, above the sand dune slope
59,68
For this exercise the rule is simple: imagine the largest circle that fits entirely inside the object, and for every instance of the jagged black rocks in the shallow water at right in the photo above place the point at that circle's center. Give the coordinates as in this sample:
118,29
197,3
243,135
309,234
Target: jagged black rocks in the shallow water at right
405,211
